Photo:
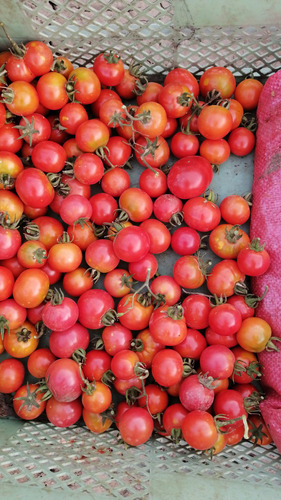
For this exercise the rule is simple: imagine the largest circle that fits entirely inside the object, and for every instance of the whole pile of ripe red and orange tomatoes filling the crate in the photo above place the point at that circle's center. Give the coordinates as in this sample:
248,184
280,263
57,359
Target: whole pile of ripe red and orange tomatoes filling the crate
147,351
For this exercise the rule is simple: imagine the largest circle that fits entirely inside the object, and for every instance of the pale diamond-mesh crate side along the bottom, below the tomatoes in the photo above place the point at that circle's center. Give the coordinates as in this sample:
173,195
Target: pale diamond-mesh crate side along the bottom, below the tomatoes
75,459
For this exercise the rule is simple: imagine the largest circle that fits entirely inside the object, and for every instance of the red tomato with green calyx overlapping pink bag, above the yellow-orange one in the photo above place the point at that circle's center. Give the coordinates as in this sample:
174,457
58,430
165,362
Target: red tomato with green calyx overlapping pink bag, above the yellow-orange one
252,262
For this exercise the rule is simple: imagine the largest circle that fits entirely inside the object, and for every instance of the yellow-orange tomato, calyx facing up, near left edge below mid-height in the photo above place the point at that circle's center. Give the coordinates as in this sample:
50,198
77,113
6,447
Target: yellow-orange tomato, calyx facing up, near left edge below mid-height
18,347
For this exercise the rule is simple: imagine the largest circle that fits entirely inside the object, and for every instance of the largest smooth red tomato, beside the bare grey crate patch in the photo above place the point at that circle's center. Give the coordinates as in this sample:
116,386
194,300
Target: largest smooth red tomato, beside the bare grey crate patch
190,177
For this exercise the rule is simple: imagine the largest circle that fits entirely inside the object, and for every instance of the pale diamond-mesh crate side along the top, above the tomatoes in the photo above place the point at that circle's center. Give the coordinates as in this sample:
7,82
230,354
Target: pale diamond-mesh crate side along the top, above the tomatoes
146,30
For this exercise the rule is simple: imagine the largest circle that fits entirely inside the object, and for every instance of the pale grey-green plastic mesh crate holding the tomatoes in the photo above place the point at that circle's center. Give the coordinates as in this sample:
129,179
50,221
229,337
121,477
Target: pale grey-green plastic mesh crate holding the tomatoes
37,459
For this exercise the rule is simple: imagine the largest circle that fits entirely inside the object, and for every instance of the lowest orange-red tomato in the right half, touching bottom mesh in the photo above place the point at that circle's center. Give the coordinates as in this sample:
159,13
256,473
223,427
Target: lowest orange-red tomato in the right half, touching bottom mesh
199,430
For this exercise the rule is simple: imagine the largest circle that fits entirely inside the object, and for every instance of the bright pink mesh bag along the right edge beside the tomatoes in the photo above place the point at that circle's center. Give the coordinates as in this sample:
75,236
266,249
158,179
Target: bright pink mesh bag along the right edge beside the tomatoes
266,224
